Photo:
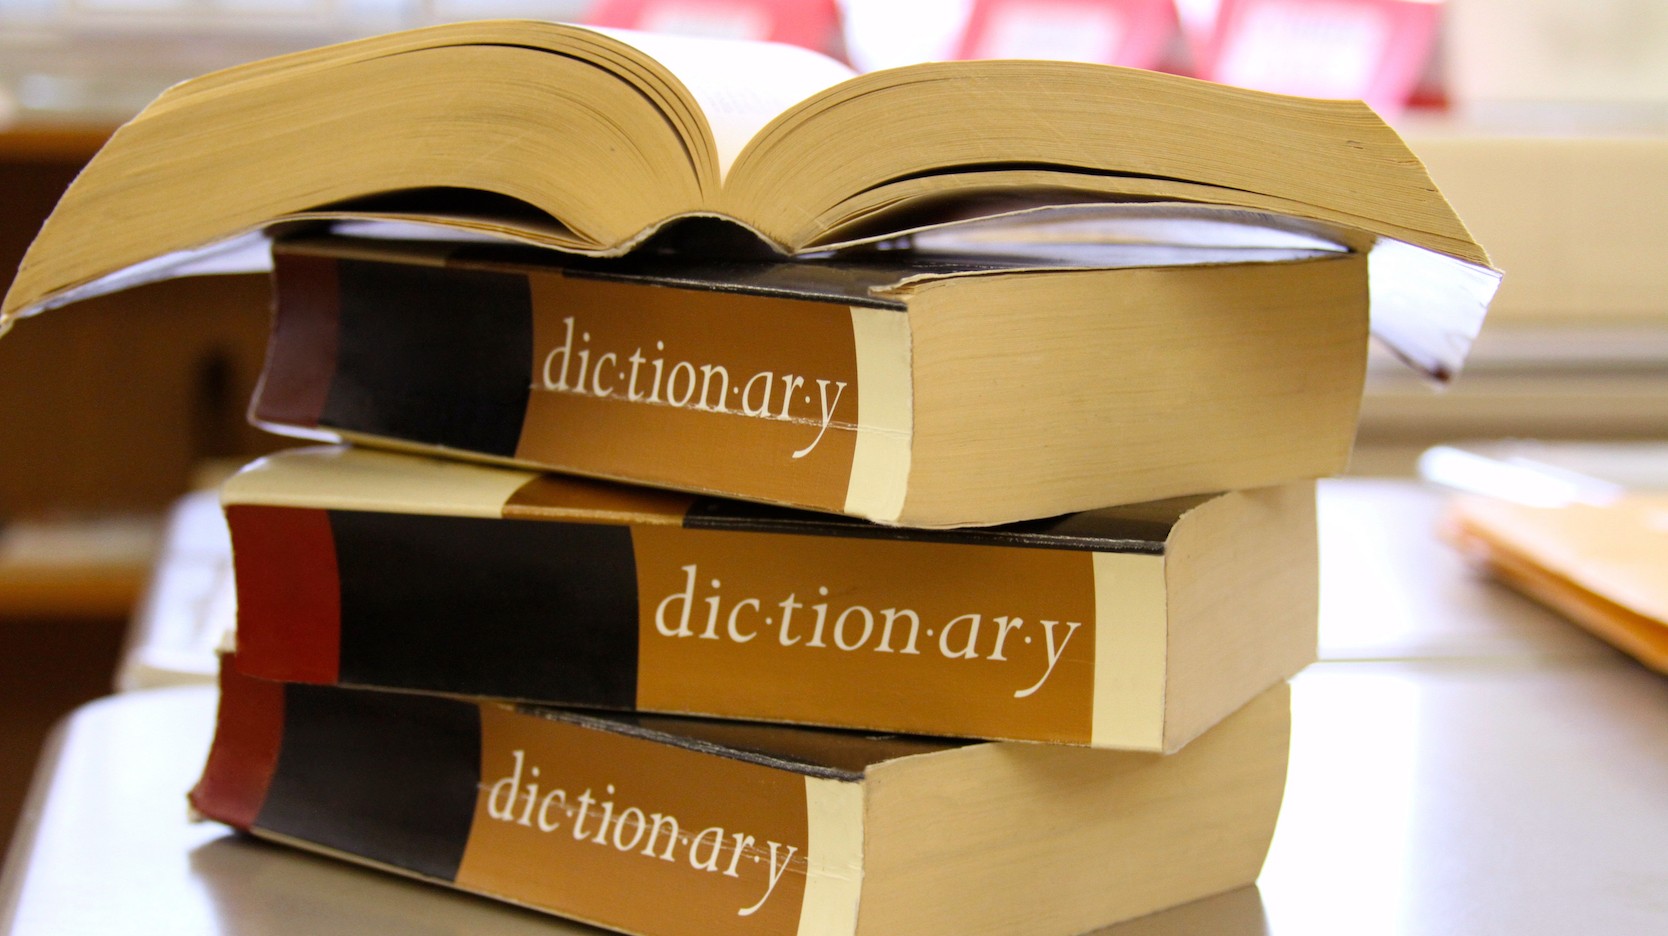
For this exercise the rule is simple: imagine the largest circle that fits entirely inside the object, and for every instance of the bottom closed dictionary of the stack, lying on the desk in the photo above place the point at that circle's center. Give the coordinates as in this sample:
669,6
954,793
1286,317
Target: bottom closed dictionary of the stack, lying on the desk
678,827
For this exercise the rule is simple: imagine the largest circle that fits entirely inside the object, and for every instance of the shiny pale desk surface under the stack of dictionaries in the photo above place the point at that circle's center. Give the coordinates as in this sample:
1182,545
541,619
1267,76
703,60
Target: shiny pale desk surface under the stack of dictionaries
1462,763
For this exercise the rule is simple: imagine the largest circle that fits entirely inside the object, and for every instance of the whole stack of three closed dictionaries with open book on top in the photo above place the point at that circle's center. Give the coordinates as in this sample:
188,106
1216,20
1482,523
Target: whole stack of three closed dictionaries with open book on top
945,578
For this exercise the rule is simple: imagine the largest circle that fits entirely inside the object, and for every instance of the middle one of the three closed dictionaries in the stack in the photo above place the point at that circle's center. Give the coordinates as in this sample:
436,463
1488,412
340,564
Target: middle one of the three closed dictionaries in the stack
1133,628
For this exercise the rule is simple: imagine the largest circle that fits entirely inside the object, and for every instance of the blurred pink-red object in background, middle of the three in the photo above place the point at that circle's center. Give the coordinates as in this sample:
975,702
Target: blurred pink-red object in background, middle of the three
1113,33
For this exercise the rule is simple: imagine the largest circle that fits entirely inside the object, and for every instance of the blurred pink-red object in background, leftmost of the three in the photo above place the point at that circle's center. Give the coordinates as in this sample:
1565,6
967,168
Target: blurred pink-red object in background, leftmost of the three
811,24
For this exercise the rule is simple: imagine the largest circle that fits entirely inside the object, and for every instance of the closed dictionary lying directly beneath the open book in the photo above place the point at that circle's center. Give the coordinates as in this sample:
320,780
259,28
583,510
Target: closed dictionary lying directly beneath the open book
917,391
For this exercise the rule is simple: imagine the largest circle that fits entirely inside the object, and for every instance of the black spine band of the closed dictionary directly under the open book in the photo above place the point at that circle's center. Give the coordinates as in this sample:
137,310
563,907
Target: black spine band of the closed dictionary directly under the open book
433,356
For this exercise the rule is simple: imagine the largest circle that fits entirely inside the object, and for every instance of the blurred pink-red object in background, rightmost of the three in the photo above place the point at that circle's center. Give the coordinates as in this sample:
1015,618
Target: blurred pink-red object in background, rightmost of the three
1374,51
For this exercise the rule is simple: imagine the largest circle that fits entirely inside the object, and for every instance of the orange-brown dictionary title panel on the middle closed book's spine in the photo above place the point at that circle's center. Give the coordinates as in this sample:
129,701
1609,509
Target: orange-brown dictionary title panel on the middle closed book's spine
903,637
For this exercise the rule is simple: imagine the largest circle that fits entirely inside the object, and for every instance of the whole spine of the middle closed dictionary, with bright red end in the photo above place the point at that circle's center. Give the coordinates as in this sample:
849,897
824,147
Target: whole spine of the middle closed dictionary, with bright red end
892,635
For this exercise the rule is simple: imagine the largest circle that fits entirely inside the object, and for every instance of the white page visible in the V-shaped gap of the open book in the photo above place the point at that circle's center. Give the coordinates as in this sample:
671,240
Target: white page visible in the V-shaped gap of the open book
741,86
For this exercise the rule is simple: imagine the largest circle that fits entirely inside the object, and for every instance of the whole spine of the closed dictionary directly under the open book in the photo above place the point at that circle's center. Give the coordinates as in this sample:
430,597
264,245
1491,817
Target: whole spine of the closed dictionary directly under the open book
598,378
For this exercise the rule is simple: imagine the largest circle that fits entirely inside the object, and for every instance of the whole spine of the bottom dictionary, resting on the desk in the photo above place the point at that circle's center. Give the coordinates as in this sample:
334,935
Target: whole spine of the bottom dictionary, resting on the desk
623,830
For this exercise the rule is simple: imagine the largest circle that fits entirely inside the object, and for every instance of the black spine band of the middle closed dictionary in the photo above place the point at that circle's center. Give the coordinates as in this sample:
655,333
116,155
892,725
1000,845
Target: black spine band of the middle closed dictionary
525,610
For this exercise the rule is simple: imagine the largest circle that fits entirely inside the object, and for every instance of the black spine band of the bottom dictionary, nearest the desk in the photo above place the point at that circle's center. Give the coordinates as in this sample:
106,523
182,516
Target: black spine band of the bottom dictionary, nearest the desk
378,775
